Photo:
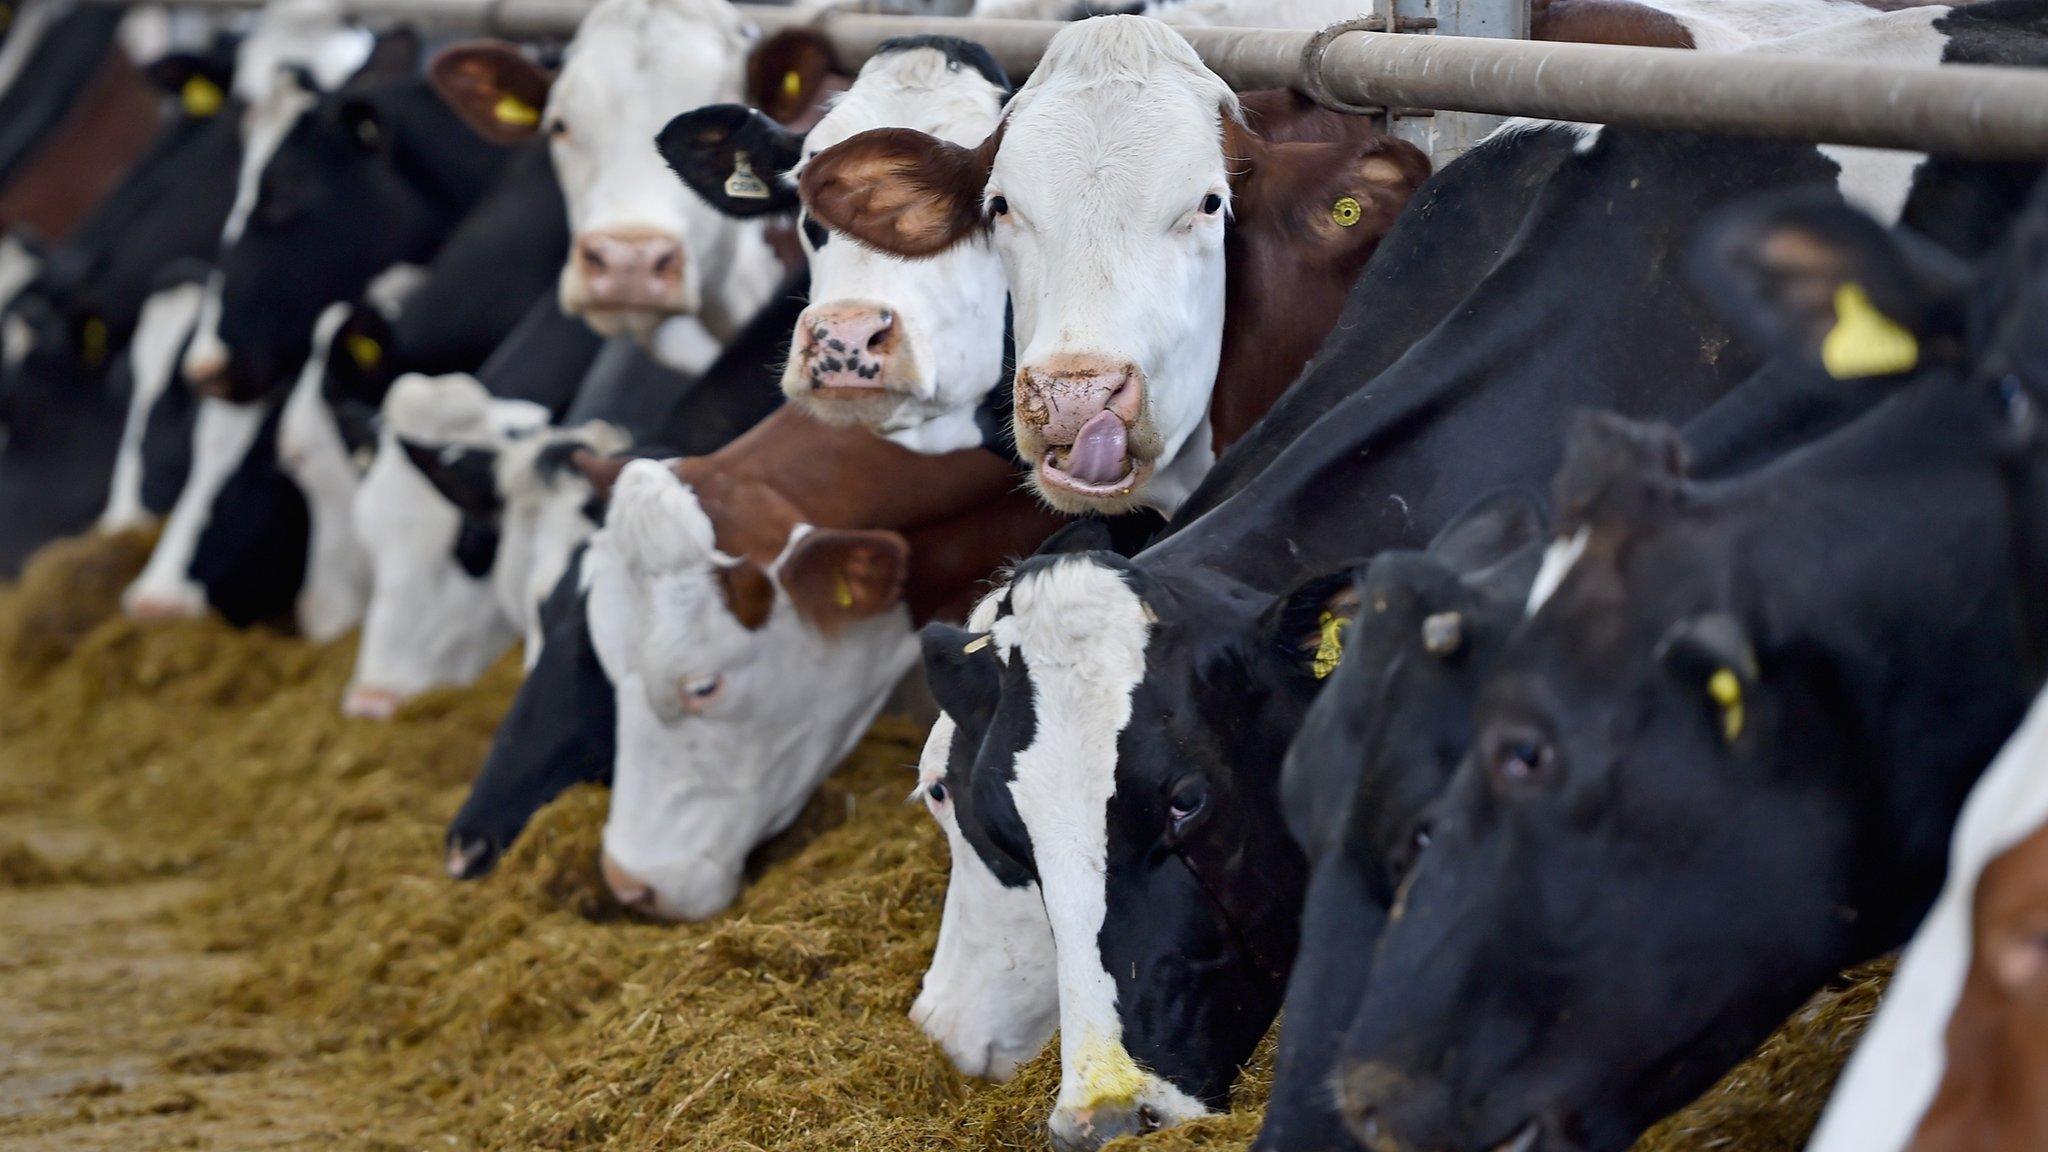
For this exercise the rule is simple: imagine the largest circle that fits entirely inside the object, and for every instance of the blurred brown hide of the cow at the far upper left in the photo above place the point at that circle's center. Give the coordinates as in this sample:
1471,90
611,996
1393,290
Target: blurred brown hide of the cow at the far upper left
87,155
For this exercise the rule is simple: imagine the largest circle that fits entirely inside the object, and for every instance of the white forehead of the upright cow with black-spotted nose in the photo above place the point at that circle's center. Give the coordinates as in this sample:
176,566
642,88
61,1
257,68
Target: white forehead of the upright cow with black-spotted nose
912,89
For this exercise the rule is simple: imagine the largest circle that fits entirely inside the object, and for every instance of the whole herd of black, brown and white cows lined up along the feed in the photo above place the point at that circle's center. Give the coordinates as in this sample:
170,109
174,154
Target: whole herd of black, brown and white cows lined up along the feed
1525,626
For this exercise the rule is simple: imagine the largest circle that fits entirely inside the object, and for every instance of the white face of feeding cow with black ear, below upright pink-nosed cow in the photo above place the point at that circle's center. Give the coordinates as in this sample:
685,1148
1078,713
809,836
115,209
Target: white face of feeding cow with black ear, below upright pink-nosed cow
429,622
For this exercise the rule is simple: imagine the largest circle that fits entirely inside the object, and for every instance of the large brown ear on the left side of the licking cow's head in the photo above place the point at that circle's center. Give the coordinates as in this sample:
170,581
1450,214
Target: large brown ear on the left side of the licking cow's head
900,190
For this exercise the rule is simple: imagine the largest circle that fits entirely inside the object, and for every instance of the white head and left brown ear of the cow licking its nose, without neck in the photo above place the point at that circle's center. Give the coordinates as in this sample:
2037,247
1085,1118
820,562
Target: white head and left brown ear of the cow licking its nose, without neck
1105,192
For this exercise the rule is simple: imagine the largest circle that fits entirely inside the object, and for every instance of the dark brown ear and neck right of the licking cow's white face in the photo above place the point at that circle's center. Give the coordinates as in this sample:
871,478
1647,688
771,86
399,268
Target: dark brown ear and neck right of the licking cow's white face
1289,259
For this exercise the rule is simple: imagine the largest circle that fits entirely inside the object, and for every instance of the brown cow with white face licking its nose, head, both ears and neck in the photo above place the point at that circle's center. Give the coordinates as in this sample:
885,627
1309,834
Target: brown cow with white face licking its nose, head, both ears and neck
1105,190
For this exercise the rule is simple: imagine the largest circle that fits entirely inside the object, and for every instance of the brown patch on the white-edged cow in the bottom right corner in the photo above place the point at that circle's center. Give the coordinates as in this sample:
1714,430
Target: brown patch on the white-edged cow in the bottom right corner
1996,1087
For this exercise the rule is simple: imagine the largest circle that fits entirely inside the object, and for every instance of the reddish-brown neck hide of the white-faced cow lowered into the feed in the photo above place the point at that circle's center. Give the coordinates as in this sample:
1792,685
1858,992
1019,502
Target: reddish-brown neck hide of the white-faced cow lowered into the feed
962,513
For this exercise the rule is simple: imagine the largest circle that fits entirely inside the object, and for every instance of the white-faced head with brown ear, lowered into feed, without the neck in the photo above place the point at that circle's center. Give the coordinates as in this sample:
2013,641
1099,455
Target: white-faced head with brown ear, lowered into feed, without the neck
744,671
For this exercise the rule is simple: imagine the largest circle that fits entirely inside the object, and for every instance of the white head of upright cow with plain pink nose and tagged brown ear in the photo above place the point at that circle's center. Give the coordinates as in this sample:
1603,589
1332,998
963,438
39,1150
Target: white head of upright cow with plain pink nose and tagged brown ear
642,247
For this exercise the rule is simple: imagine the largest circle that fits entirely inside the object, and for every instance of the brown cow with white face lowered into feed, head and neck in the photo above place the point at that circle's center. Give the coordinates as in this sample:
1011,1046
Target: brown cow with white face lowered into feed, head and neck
755,610
